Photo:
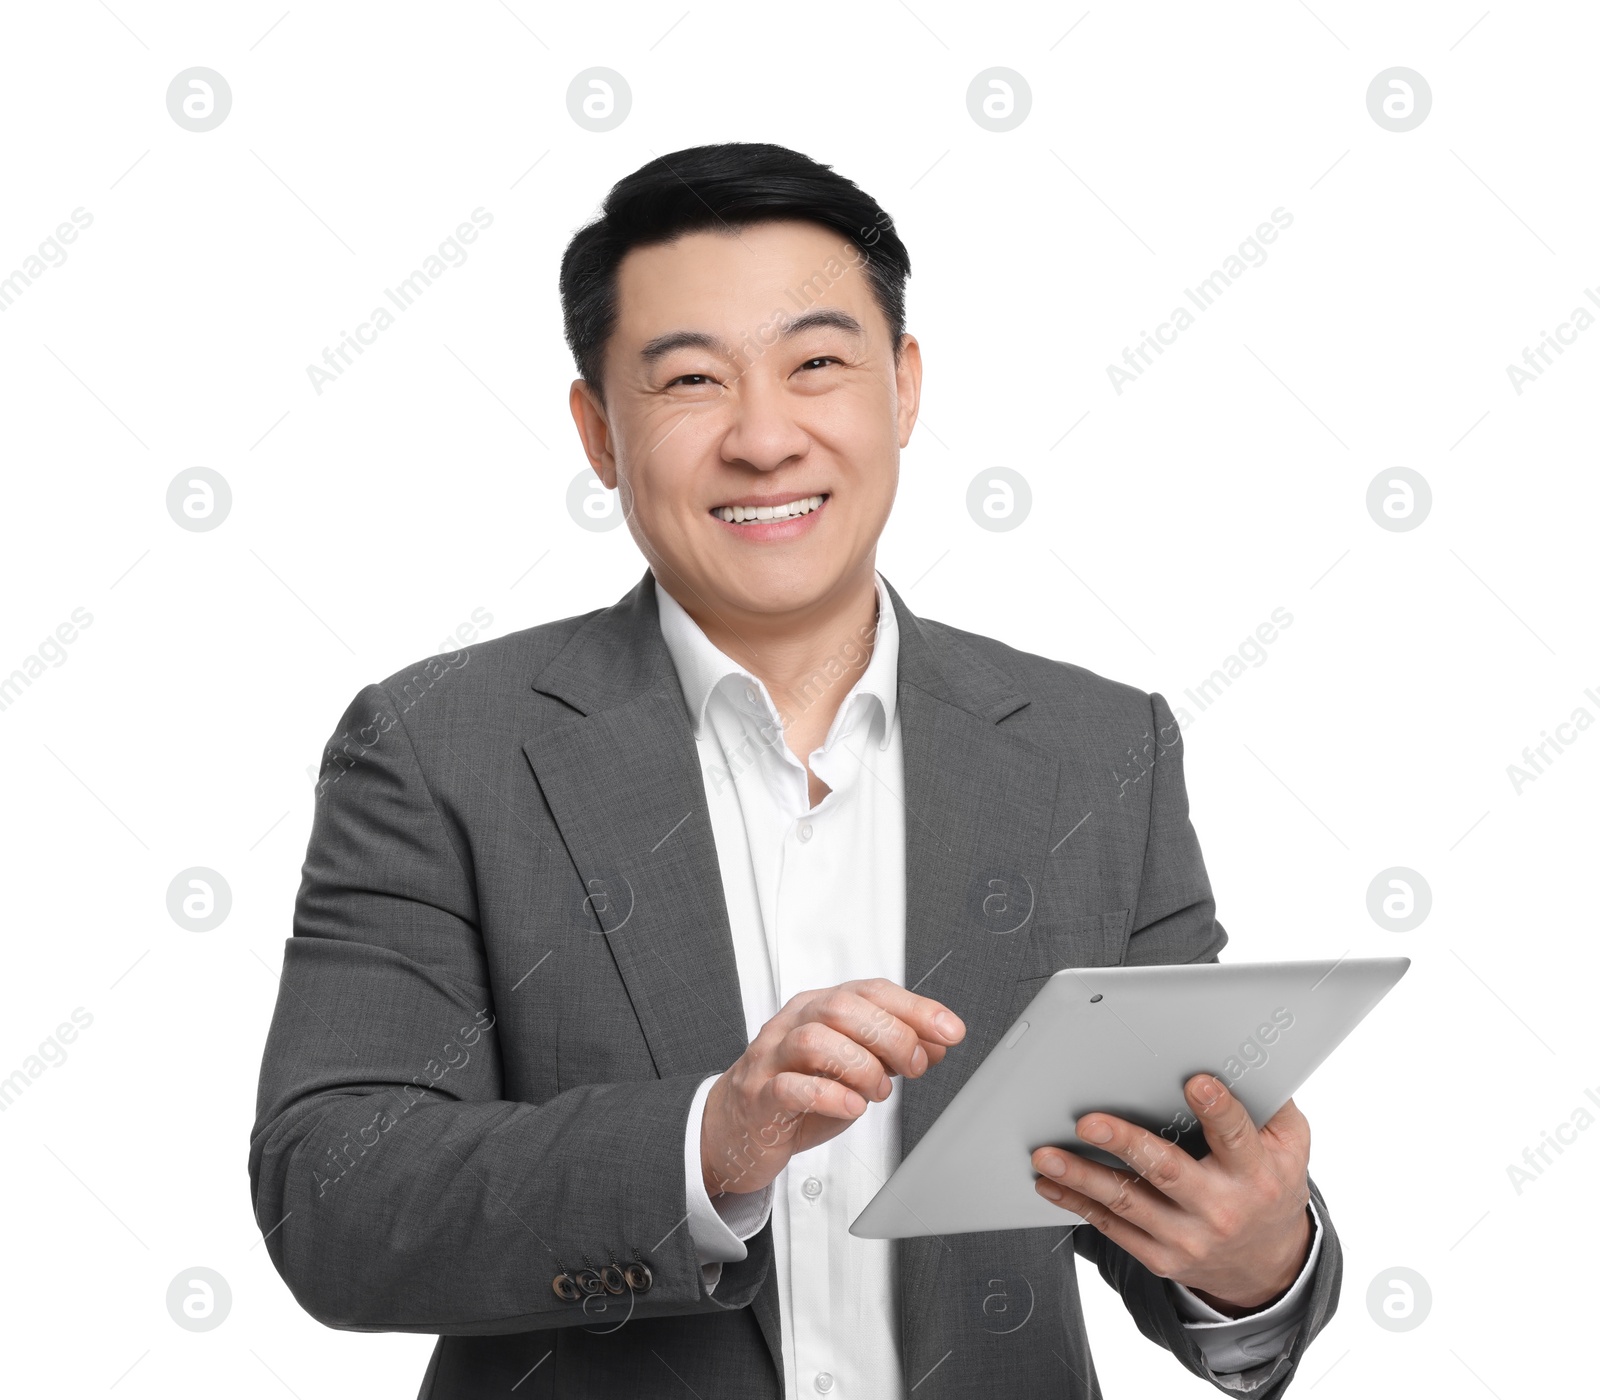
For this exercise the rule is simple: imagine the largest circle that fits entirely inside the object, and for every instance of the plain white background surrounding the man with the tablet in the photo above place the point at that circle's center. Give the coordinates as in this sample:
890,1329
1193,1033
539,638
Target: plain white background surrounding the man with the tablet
430,481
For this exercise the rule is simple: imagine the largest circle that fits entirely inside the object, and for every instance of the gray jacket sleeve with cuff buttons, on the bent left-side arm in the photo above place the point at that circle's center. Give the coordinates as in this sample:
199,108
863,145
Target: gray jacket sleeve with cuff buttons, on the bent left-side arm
398,1186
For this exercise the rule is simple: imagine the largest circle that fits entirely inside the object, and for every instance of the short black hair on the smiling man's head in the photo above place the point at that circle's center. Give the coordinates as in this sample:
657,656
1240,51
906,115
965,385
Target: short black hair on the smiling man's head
722,188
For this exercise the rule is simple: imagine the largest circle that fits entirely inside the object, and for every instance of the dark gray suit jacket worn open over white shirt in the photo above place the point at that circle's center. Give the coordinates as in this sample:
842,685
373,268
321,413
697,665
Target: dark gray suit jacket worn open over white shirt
513,967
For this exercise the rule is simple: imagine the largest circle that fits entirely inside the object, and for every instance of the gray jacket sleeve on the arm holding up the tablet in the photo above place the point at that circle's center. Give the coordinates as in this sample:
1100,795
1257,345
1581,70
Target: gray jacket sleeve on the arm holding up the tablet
1175,922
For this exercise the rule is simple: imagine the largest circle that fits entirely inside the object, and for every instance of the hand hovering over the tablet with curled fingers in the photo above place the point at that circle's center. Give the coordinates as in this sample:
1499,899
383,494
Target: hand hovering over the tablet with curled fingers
812,1073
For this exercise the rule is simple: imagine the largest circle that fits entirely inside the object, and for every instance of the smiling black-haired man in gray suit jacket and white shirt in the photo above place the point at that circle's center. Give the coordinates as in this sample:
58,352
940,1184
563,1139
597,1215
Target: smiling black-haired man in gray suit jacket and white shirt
634,951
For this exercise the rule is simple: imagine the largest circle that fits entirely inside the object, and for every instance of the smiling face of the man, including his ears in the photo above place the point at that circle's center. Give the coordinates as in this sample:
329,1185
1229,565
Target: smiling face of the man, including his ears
751,375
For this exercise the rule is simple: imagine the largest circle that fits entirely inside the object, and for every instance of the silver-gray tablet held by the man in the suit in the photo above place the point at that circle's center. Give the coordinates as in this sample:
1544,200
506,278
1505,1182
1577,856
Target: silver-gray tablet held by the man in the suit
1124,1042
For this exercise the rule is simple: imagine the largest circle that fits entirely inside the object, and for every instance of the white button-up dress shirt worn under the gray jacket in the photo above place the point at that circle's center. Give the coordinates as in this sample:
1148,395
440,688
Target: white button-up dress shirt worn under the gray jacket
817,897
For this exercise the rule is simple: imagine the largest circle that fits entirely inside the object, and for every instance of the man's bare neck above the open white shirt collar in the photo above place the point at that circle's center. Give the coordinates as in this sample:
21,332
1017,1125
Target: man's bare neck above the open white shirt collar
809,660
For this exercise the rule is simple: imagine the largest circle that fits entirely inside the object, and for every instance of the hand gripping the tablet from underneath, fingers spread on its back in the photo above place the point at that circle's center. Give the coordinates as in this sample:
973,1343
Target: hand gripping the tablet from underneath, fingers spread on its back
1233,1226
